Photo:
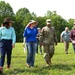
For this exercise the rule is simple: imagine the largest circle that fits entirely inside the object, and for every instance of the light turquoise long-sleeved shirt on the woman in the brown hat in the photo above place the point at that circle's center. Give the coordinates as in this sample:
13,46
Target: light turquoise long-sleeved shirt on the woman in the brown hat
8,34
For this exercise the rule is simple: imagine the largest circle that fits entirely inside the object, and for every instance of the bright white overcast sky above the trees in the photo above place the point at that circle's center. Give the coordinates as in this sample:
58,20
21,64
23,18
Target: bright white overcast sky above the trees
65,8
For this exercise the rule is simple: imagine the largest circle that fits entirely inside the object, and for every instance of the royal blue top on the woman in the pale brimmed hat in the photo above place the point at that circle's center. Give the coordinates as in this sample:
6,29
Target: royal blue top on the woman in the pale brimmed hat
30,34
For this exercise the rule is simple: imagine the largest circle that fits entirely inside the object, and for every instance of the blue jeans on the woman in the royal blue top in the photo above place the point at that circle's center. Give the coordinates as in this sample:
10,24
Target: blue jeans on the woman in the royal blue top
31,48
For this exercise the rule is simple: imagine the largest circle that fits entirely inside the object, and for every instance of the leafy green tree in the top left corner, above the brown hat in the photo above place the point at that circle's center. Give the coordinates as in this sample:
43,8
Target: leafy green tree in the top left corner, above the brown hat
5,11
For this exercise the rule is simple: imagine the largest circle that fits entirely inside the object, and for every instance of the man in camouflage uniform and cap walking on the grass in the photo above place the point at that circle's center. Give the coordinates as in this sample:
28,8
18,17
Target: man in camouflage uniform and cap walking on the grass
47,38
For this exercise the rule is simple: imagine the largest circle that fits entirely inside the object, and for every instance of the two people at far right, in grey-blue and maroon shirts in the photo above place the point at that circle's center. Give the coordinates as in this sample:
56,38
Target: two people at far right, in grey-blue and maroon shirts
67,37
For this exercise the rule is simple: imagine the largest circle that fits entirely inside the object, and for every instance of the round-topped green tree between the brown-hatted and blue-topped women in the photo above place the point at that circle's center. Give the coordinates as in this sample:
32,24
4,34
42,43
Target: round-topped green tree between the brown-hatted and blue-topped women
22,18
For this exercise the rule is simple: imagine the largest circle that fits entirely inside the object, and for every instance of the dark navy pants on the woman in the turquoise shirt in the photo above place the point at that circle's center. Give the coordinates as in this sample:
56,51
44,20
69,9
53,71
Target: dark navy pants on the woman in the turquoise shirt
5,48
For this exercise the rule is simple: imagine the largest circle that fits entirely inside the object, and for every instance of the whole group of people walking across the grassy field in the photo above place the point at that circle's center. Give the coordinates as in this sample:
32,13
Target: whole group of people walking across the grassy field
32,36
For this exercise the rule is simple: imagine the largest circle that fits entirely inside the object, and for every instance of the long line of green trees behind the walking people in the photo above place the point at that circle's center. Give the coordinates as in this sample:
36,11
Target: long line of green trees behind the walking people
23,16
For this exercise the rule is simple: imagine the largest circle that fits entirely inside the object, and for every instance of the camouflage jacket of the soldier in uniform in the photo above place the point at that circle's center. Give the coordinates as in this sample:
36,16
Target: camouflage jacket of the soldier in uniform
48,35
